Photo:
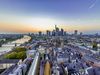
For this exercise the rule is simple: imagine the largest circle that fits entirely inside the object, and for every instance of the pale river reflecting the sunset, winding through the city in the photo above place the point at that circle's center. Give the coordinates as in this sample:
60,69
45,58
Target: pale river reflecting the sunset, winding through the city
8,47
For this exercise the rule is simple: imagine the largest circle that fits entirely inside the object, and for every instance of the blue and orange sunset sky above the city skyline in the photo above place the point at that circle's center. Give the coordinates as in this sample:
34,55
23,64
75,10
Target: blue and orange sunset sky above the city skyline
23,16
